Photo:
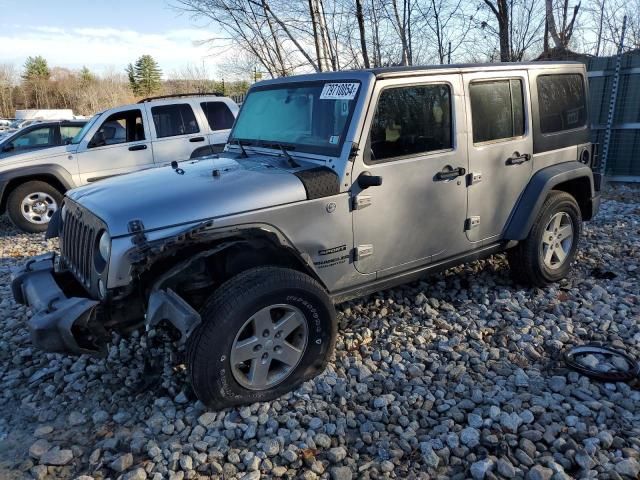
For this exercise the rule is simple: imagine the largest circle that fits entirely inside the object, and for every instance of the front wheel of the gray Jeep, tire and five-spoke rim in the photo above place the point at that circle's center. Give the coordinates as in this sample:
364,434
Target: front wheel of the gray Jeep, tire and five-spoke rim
255,301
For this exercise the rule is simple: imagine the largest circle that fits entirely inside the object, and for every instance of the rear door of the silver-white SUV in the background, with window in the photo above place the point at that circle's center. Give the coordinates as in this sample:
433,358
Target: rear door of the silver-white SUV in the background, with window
176,133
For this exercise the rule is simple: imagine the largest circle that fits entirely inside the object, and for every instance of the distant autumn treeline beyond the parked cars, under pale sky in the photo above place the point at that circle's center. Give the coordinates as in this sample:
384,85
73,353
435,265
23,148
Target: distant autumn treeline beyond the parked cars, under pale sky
37,85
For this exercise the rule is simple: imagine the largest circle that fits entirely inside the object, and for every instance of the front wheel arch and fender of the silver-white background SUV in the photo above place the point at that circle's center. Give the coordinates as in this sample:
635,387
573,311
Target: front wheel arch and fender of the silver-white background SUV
54,175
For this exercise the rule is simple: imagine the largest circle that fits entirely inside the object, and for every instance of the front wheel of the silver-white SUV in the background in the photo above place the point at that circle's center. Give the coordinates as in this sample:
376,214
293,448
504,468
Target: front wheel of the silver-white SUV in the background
31,205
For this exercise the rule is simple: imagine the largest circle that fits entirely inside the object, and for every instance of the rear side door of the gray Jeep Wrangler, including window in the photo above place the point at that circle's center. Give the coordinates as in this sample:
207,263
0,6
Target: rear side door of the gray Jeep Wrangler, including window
500,149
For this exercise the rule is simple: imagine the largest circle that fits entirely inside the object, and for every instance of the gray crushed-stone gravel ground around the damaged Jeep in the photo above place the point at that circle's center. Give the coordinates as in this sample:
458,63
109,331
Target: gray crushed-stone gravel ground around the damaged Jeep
458,376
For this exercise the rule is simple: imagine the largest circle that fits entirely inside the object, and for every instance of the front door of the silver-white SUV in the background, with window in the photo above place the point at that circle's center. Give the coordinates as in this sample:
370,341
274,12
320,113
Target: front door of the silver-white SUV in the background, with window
117,144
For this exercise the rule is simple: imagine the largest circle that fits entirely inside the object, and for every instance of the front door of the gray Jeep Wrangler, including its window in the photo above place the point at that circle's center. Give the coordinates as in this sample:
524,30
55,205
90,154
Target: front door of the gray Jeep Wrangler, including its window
417,145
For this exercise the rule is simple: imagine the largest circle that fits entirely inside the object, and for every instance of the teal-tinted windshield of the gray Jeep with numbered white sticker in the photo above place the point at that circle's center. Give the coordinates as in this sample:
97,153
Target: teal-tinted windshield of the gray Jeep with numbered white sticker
308,117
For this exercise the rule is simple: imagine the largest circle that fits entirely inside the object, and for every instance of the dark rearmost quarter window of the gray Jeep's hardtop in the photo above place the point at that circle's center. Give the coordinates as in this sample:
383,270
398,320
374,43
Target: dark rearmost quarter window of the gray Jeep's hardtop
562,102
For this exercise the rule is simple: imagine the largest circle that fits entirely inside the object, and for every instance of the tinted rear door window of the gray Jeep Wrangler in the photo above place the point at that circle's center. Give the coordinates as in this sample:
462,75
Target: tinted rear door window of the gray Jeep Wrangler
497,110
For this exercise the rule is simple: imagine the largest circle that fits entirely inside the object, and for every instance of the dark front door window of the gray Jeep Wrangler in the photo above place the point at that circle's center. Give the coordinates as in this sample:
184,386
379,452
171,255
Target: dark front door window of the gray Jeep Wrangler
411,120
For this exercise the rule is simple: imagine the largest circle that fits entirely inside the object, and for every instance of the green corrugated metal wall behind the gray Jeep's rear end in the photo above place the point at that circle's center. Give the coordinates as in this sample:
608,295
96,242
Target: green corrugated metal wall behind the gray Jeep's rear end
624,150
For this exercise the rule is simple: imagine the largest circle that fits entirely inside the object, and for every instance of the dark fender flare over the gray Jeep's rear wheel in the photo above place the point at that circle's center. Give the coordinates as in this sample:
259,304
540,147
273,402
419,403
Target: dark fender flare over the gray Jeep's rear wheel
536,191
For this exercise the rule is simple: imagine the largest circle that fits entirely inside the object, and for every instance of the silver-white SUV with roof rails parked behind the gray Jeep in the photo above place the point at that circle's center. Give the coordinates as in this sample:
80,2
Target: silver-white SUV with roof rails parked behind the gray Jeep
120,140
